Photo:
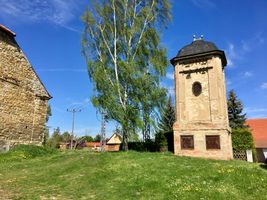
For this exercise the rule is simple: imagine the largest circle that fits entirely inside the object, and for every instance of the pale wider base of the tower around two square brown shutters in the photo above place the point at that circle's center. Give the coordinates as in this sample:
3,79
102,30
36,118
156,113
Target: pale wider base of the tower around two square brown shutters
224,152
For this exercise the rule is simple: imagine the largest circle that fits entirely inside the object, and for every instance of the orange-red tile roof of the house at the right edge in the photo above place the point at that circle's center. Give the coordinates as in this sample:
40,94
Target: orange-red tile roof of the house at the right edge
259,131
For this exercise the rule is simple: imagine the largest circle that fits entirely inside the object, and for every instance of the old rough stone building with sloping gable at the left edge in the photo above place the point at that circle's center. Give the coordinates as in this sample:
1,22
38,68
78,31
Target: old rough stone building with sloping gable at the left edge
23,97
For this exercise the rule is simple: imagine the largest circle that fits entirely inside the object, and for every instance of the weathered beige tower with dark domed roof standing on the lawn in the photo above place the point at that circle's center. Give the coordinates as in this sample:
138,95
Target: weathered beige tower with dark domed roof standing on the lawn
202,127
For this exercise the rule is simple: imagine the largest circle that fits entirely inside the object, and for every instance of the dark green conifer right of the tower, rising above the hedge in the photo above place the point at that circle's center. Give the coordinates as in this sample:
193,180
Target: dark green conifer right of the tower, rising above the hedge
235,108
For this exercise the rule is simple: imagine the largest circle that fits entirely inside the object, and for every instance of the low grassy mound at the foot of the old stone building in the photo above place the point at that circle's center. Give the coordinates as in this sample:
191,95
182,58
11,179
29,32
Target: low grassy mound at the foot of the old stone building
22,152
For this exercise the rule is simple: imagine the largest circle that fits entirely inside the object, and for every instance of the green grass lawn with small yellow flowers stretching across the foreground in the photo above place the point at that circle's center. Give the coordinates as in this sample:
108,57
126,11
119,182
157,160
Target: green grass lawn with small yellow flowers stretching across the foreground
129,175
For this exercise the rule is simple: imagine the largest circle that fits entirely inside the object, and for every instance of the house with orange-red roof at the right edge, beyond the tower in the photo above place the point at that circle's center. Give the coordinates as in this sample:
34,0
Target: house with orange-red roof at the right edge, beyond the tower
259,133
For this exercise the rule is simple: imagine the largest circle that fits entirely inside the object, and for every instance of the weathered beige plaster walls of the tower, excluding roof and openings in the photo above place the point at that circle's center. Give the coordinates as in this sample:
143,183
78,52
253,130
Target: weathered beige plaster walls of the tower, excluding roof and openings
205,114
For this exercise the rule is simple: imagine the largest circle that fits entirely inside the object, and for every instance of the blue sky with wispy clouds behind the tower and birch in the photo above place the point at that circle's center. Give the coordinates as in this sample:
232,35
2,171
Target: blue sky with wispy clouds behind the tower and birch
49,32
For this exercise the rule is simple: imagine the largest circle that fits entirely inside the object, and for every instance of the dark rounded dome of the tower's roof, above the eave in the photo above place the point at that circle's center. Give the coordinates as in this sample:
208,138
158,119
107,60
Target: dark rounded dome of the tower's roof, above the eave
196,47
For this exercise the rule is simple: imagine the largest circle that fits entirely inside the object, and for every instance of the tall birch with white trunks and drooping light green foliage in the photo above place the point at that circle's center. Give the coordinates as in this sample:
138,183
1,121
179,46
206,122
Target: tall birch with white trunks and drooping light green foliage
125,60
